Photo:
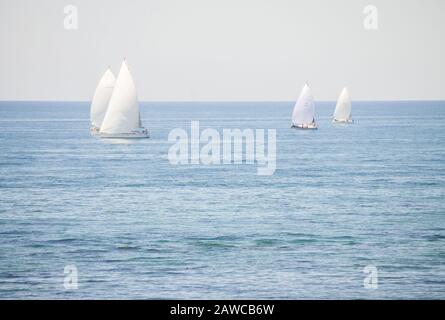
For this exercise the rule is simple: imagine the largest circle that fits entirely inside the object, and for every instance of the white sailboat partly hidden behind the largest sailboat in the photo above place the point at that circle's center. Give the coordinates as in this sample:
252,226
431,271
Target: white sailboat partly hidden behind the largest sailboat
101,98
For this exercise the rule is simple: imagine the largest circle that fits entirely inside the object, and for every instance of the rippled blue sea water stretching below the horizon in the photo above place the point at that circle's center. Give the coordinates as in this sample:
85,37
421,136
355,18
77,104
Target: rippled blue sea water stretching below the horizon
342,198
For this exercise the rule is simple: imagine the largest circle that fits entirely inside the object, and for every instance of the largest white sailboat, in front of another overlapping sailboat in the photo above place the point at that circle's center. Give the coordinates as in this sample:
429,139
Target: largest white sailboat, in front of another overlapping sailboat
123,118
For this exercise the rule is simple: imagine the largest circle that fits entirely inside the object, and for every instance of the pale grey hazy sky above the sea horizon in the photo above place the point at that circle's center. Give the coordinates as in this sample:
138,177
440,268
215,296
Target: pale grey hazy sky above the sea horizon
224,49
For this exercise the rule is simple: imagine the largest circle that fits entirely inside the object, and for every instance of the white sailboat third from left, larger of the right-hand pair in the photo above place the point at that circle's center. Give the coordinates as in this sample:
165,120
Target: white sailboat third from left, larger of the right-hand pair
303,116
